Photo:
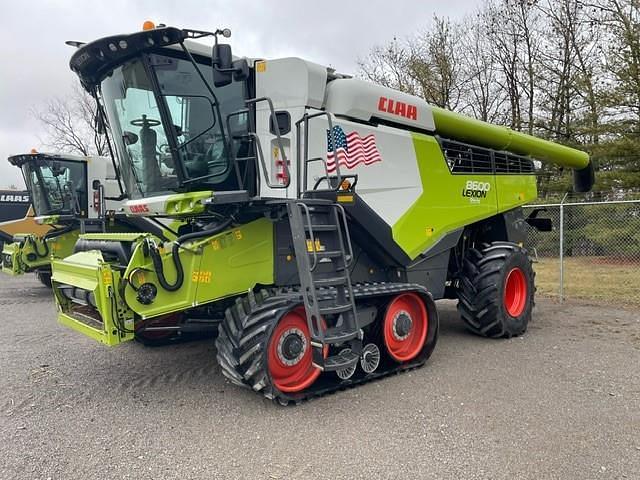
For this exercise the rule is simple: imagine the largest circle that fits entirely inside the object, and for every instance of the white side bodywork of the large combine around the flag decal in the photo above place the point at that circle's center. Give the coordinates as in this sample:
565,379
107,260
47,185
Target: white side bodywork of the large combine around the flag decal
389,186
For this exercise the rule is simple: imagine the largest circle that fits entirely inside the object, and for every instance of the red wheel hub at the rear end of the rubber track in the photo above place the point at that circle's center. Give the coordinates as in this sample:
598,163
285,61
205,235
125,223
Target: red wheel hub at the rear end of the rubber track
405,327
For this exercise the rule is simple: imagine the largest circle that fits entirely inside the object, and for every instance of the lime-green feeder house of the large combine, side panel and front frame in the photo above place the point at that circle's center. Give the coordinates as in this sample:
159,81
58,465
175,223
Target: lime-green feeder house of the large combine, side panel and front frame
215,267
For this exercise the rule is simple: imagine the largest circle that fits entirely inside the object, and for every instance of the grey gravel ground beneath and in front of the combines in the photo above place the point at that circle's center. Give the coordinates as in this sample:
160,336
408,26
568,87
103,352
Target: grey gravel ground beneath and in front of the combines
563,401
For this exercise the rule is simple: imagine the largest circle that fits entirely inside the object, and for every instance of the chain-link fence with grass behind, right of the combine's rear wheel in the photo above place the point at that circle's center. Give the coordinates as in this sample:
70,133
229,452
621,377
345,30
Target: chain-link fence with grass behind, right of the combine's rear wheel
593,252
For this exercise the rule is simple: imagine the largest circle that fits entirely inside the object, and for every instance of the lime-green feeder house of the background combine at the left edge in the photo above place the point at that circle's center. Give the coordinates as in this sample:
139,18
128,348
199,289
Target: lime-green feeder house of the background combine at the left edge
21,257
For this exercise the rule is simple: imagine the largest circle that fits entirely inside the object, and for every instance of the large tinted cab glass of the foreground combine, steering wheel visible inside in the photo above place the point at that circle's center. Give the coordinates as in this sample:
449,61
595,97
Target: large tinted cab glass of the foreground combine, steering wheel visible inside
166,126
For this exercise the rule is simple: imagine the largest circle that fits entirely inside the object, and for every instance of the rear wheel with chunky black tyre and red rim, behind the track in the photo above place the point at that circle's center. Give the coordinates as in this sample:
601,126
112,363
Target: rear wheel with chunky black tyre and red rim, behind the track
496,291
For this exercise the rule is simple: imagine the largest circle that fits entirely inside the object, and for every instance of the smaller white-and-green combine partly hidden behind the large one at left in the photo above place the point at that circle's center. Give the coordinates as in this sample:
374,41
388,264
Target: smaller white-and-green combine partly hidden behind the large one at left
72,195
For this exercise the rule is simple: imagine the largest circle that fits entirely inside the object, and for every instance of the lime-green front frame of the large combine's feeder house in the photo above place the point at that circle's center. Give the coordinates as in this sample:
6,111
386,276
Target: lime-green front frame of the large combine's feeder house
88,271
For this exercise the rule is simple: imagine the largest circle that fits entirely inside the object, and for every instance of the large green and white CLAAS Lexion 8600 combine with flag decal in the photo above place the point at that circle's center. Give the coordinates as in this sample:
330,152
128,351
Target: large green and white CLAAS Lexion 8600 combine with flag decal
320,216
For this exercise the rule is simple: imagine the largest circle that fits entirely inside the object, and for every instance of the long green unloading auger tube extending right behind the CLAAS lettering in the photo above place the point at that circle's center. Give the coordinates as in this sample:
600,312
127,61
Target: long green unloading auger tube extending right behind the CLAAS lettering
466,129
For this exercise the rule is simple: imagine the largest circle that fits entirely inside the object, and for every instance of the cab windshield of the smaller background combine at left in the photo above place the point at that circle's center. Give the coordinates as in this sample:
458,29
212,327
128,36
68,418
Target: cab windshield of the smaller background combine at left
57,187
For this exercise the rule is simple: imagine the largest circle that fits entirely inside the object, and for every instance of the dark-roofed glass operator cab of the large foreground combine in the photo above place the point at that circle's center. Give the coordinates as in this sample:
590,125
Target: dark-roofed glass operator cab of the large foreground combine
170,116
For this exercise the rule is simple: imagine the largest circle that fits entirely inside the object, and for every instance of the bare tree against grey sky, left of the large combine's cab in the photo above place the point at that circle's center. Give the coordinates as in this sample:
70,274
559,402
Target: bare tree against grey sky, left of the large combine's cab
70,124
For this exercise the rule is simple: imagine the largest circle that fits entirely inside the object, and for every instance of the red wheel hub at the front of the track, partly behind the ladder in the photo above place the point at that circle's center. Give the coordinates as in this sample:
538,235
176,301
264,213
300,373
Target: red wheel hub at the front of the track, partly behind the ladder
289,353
